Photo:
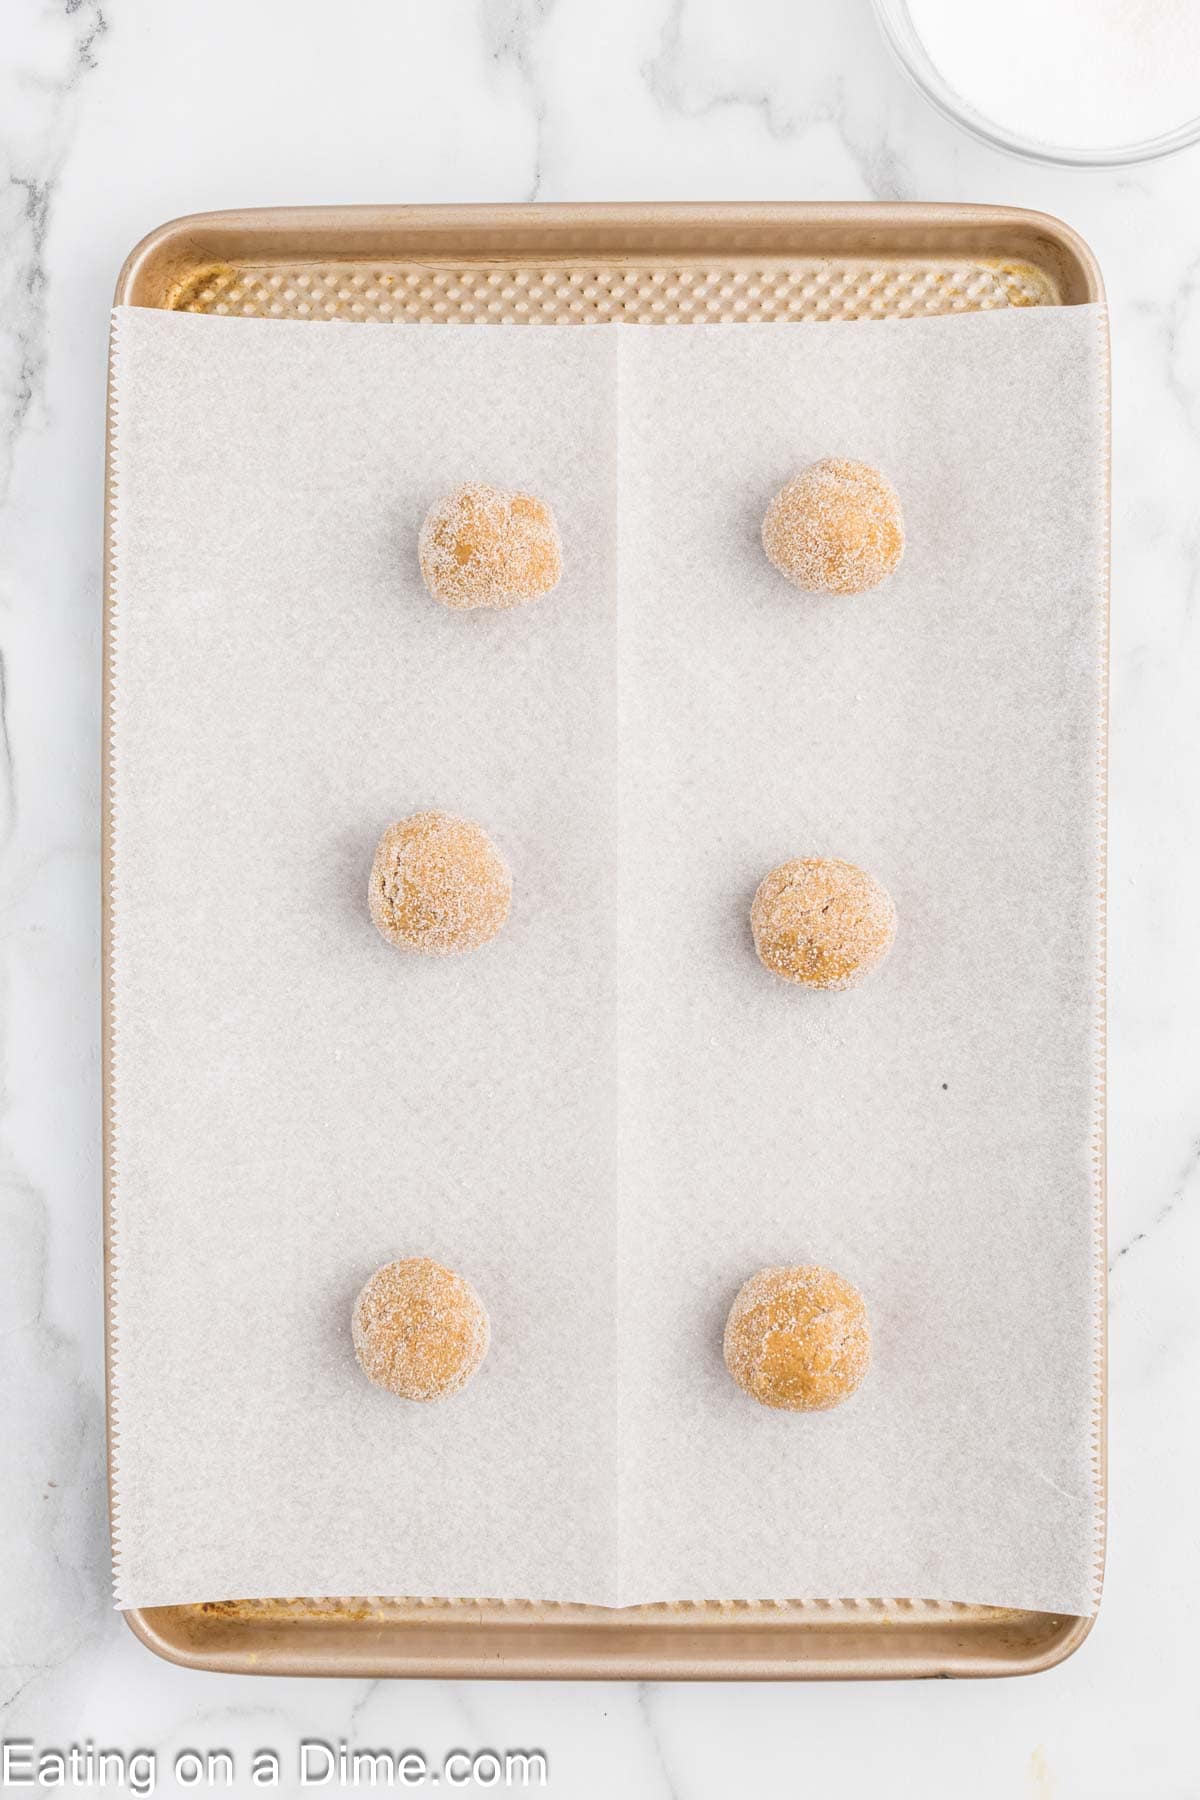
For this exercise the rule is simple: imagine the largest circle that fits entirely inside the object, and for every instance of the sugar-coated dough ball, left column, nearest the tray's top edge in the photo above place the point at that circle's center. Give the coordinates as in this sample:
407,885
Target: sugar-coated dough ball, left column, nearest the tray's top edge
487,548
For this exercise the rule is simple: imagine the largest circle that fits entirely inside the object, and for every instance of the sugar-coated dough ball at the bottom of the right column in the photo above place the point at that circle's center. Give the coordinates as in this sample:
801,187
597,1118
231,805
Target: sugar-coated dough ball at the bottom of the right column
798,1340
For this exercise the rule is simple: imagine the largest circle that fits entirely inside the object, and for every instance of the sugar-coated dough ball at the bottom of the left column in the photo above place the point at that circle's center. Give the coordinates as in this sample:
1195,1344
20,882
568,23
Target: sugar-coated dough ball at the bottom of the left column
420,1331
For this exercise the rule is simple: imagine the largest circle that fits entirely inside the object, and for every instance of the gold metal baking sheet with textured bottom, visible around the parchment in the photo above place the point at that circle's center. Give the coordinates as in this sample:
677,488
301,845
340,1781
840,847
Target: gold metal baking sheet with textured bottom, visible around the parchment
573,265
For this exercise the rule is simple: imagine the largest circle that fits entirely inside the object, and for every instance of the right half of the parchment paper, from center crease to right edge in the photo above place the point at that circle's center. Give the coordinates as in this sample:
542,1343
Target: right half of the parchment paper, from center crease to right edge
931,1135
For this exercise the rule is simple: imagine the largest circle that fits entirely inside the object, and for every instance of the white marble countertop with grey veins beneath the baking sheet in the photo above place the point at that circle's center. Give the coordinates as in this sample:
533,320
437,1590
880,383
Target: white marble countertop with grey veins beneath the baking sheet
120,114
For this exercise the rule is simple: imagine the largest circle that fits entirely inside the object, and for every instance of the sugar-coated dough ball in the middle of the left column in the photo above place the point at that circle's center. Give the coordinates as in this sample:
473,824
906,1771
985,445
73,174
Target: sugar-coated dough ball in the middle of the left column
438,885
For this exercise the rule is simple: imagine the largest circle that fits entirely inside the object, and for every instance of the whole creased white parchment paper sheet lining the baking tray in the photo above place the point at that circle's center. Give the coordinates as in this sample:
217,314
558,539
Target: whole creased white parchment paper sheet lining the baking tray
613,1115
